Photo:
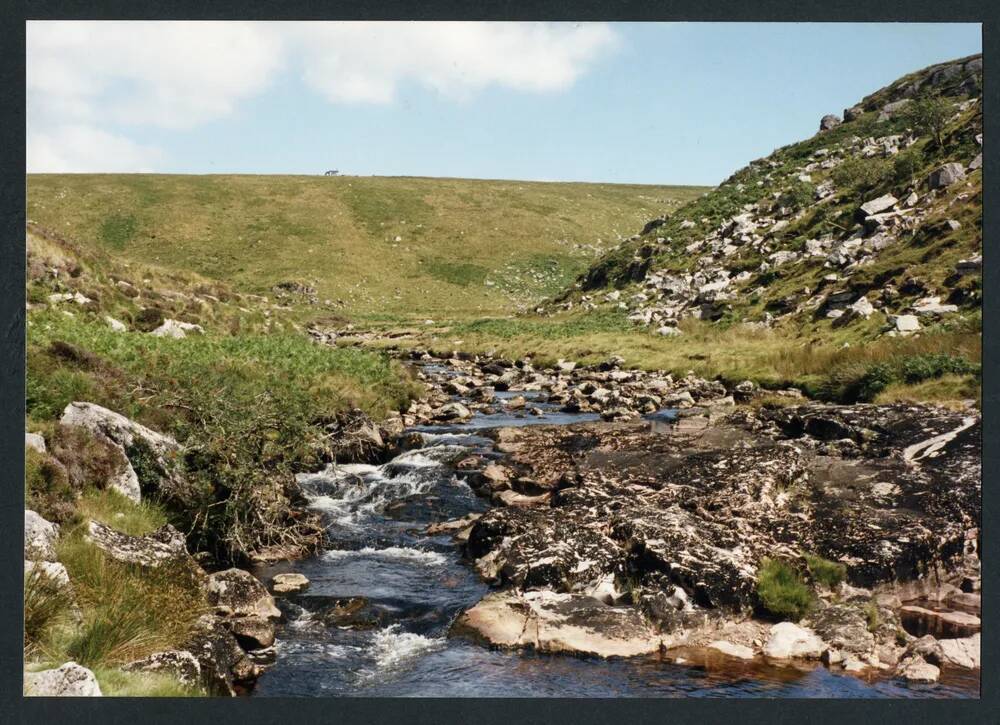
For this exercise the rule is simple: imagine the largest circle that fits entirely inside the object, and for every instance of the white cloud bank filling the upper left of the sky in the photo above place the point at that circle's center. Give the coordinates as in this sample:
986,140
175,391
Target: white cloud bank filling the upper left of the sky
103,82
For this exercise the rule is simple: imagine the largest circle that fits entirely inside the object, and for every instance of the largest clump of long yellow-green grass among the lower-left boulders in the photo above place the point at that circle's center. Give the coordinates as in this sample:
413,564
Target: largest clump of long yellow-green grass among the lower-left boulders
129,611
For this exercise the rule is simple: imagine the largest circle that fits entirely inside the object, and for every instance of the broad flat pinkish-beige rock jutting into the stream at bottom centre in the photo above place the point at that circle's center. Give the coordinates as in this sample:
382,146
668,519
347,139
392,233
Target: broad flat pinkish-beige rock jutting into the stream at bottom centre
557,622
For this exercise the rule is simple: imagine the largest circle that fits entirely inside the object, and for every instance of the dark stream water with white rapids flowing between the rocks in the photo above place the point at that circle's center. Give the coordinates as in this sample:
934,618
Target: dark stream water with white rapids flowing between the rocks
414,585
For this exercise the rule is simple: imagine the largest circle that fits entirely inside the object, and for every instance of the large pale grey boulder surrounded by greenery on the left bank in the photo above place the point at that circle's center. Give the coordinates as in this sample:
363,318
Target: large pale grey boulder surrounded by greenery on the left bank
132,439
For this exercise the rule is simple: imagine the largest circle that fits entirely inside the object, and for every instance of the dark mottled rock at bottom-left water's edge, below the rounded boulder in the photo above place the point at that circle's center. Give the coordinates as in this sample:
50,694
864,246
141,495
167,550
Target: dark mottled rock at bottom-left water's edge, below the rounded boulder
225,667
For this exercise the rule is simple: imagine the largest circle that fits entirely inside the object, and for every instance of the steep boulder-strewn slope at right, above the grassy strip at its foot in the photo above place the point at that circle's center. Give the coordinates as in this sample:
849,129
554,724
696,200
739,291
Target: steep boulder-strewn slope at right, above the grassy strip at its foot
873,223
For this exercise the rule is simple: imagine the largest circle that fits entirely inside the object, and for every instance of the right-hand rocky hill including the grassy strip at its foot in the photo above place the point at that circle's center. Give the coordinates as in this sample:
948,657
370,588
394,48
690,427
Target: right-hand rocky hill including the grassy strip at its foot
847,264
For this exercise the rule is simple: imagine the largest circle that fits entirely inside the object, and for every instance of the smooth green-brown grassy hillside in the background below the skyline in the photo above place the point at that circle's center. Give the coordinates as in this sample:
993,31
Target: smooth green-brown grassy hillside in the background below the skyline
374,246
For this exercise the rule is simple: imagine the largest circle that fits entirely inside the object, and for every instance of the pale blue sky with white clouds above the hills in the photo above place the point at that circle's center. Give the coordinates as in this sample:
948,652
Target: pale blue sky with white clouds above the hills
657,103
